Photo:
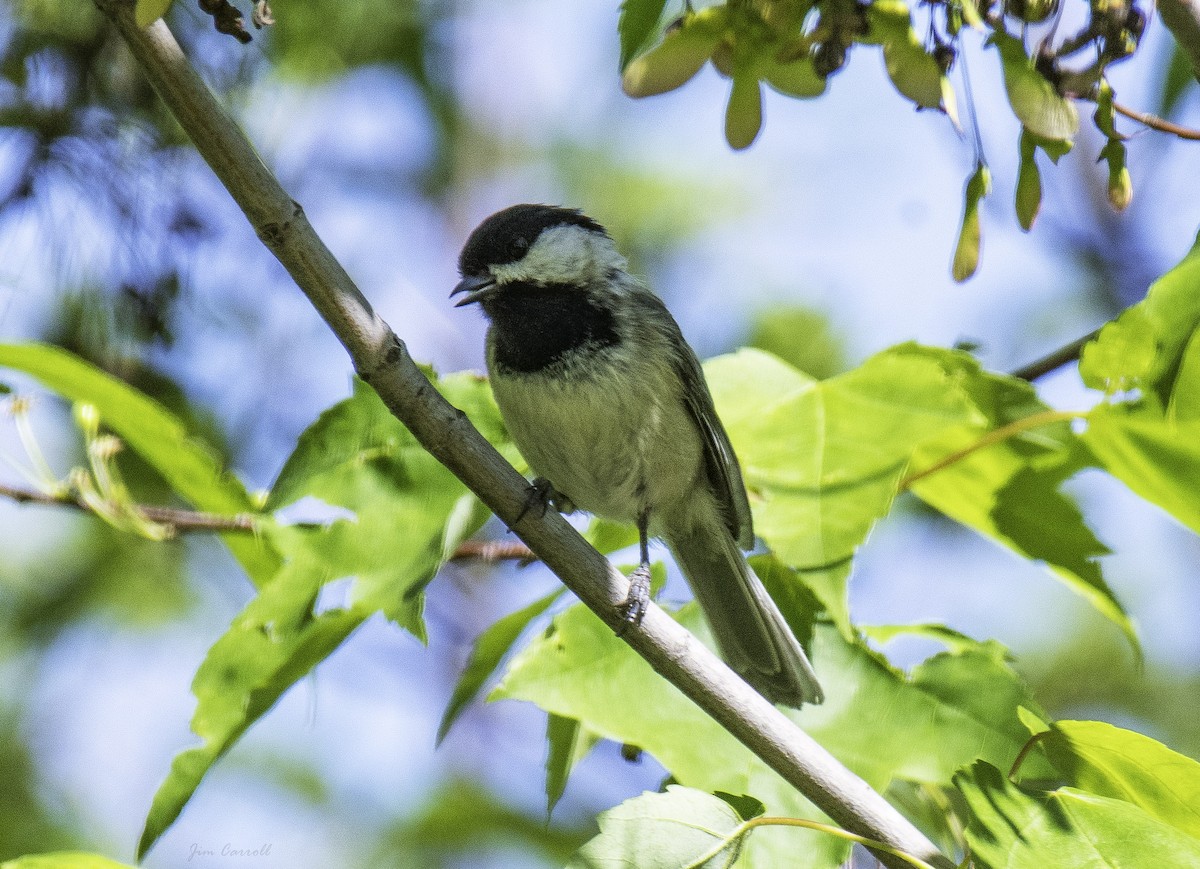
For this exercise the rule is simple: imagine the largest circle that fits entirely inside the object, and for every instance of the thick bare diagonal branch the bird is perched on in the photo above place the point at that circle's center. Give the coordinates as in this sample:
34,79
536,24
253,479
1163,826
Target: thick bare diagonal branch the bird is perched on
382,361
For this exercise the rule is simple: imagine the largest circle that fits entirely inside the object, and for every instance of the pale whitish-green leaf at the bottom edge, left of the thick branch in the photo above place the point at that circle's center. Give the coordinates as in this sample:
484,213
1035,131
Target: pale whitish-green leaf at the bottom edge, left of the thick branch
657,831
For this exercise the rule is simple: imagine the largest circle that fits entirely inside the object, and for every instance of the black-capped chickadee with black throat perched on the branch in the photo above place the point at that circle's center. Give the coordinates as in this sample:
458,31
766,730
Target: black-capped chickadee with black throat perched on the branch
609,405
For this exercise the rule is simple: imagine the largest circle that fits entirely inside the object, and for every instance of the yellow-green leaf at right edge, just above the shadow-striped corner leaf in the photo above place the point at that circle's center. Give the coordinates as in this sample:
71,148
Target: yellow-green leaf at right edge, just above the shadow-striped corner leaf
1124,765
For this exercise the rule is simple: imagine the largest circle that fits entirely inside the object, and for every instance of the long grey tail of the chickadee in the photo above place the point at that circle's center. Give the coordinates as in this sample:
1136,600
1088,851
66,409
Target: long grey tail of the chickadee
751,631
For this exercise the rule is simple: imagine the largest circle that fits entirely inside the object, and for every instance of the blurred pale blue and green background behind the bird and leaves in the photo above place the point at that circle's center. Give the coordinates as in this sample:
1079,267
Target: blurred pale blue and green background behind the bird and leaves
399,127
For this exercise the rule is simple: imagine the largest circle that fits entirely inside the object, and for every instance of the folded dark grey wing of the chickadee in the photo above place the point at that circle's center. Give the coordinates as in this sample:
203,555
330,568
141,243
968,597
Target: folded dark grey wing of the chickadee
721,463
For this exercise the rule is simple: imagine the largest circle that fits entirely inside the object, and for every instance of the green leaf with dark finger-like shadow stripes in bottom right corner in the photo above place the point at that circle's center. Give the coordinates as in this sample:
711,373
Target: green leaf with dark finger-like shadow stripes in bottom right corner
1065,829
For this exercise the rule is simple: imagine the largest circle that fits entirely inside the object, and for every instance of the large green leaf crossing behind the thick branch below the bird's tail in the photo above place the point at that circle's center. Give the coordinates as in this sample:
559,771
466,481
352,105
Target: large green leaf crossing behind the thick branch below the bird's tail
955,709
